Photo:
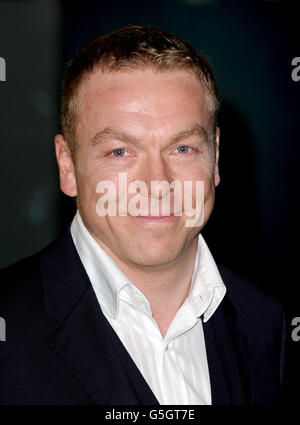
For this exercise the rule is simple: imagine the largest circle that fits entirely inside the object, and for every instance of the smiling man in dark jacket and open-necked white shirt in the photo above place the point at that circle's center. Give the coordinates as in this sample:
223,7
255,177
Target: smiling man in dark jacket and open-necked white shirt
128,305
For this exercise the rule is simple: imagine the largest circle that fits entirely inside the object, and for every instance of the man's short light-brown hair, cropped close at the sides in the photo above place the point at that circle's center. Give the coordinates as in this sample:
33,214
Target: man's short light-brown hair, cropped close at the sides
131,47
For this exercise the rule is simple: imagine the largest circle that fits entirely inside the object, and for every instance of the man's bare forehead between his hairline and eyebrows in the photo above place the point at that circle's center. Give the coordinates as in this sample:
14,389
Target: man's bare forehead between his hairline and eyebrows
145,97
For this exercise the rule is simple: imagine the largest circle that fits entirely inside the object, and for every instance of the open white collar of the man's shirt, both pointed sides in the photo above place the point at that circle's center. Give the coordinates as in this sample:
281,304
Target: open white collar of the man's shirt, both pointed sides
110,283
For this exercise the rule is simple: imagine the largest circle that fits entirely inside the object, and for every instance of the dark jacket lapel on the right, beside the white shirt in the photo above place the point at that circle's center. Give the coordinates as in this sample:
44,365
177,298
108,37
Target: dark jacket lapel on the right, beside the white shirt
224,357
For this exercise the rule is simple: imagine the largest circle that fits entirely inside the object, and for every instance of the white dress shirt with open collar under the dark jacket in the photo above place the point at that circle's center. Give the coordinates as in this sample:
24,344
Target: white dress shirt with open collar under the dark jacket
175,366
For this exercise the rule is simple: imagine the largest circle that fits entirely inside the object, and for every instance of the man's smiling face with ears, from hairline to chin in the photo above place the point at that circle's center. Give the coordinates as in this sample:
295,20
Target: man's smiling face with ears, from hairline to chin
153,126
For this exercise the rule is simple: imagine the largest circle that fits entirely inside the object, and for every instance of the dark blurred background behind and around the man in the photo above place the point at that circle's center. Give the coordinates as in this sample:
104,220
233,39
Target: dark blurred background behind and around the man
250,44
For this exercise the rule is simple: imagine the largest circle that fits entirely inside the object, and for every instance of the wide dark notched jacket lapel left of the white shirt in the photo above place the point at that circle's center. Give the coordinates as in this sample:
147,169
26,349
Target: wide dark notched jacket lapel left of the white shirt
84,341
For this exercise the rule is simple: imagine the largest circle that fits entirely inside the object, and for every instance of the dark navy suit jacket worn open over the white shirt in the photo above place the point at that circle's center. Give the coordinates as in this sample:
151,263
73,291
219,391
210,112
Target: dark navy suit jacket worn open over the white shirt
60,349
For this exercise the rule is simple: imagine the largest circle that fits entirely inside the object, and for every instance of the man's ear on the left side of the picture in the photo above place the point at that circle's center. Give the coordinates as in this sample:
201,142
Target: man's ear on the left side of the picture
66,167
